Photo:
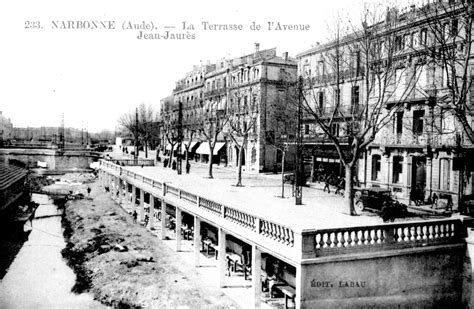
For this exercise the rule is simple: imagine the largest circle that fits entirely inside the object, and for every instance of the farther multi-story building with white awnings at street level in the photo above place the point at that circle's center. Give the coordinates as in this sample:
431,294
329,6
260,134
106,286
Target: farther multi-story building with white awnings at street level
246,94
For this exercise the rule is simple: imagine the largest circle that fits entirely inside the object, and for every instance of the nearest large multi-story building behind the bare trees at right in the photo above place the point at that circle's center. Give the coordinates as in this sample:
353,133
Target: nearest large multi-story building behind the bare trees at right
417,151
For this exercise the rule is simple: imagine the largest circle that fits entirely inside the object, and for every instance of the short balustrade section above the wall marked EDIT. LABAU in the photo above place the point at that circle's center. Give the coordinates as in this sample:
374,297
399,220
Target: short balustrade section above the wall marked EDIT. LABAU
387,236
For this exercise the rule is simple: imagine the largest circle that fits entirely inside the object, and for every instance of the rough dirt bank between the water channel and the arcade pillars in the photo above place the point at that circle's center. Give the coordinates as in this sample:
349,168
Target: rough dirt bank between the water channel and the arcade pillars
93,228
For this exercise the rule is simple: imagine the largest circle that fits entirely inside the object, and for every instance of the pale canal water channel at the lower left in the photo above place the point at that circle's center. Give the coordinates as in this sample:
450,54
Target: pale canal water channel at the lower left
39,276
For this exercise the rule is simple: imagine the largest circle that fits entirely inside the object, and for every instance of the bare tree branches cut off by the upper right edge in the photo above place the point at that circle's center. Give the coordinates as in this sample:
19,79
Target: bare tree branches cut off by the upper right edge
447,40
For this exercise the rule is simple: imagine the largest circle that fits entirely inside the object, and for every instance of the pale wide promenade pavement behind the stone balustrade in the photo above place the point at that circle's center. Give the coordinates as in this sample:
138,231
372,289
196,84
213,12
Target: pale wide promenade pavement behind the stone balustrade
261,196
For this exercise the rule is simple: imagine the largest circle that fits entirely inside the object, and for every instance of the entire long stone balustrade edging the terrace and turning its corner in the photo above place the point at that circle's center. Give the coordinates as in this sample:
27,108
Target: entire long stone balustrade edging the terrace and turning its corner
318,242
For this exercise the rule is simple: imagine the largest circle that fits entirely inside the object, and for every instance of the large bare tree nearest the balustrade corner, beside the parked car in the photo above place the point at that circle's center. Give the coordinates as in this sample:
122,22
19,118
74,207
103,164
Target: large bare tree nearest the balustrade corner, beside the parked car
367,58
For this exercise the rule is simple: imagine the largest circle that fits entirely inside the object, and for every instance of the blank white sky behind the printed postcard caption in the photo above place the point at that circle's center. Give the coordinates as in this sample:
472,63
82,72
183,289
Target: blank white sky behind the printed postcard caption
91,77
